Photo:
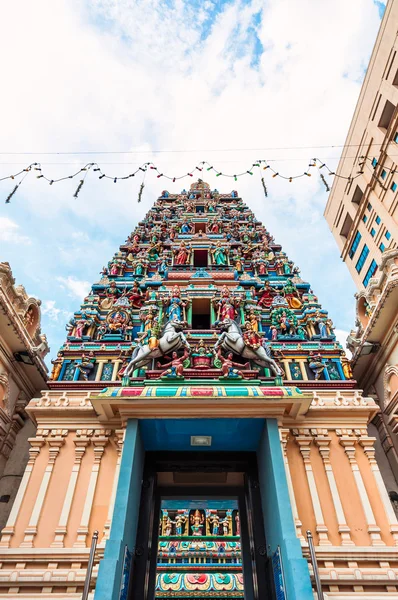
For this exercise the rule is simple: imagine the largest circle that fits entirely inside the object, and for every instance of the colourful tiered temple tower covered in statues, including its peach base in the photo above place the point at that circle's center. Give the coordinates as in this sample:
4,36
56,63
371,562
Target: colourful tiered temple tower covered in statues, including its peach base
201,416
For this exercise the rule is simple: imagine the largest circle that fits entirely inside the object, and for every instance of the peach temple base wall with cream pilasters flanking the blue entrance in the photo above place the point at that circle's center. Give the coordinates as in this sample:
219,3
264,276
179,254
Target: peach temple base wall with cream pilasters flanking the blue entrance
335,487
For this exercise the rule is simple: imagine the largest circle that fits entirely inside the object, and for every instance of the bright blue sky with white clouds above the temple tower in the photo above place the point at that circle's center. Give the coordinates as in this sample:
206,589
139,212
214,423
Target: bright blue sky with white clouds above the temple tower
176,82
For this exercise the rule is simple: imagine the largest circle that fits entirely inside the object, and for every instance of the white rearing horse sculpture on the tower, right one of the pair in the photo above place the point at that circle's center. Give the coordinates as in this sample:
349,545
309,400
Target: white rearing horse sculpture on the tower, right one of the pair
231,340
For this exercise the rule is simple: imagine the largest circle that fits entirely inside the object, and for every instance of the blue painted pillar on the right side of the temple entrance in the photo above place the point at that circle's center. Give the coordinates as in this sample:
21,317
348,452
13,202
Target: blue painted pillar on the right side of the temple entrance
277,512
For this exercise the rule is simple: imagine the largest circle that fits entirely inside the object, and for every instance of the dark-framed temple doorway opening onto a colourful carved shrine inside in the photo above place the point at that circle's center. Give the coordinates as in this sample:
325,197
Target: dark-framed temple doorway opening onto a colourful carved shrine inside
200,531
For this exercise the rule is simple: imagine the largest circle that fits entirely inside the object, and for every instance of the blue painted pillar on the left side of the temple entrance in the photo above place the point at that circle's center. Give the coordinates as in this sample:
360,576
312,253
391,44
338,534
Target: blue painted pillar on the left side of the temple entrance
125,515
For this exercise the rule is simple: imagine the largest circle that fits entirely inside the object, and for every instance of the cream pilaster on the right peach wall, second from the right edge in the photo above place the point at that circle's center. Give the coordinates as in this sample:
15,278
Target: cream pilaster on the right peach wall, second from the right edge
348,440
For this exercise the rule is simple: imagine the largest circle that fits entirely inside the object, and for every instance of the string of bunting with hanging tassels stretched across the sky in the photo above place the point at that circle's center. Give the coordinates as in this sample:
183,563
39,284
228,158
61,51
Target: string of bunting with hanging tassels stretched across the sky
147,167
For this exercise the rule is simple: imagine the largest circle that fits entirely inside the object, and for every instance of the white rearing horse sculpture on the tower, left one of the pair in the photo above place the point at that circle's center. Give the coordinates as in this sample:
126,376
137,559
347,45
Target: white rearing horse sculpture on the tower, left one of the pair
172,339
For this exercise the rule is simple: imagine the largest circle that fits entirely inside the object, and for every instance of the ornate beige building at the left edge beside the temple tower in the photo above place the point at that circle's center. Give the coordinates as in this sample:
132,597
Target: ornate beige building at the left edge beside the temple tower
23,376
